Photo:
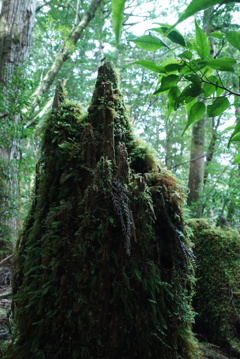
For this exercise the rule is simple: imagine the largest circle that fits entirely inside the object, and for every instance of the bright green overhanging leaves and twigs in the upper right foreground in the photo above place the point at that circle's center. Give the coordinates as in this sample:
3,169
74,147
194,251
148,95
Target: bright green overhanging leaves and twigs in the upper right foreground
197,71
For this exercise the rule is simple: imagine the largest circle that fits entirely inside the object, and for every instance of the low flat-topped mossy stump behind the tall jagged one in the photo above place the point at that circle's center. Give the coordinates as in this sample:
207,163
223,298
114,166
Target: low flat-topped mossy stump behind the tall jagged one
217,299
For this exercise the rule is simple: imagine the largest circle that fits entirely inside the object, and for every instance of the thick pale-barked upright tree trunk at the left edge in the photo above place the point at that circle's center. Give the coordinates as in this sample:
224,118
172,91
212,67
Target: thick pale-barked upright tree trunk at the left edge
16,26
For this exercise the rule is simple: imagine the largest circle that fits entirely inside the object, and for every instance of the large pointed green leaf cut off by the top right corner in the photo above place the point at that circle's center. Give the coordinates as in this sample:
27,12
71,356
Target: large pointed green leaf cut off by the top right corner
198,5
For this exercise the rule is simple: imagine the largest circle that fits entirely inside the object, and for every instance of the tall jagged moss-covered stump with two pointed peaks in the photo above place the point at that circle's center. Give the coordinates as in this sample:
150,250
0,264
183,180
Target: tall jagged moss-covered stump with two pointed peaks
103,269
